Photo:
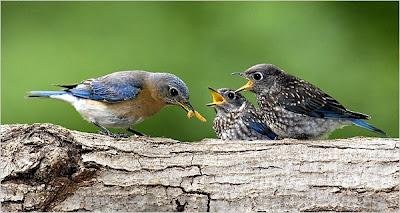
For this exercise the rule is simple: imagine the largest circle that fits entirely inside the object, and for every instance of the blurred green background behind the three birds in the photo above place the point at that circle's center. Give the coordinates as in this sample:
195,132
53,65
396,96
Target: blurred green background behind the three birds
350,50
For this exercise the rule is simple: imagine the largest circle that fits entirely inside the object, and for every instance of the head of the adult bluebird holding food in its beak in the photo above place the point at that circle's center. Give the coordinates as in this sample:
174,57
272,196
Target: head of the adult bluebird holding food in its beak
171,90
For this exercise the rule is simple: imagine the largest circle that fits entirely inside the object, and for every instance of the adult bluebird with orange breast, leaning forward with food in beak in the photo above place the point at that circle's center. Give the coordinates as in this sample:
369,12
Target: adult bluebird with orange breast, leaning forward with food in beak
122,99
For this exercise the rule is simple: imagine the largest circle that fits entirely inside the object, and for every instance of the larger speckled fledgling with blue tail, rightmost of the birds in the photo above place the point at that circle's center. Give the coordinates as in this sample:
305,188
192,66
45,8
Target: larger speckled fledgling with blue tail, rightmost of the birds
294,108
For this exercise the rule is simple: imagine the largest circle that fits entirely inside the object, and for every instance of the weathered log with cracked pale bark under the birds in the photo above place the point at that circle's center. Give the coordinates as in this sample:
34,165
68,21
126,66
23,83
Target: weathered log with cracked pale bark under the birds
49,168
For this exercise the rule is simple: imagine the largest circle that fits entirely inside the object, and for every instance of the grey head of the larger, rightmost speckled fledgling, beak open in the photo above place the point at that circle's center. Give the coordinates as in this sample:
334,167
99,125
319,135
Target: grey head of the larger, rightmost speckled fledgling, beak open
260,77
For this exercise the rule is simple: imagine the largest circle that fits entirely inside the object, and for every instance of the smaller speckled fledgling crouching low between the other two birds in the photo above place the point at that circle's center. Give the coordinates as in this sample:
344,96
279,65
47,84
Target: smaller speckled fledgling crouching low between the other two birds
237,119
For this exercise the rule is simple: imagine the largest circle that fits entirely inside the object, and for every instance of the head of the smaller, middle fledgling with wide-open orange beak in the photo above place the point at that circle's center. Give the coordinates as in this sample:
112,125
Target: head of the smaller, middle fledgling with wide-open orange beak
226,100
